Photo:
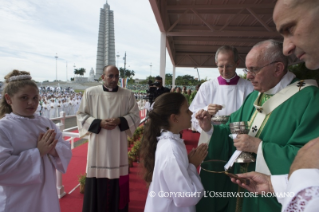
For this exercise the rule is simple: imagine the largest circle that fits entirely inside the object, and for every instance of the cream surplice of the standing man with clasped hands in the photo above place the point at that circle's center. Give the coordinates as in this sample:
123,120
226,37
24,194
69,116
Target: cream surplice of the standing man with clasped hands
107,150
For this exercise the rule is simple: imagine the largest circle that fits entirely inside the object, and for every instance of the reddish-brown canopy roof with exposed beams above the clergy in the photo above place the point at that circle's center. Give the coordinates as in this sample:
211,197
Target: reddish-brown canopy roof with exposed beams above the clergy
195,29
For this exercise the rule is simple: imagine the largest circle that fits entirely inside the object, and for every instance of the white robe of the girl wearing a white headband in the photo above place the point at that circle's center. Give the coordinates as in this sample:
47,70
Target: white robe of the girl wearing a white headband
27,180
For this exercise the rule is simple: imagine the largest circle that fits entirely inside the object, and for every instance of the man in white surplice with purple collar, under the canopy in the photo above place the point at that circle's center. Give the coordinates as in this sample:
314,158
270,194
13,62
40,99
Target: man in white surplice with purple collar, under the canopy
225,94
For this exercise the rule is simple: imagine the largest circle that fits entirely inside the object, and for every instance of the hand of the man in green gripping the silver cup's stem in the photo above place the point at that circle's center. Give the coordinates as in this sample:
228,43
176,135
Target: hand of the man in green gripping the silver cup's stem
246,143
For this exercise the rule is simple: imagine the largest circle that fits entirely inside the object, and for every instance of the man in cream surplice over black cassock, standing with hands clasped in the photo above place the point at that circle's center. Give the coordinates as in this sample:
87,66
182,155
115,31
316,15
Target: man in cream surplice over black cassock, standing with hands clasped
109,114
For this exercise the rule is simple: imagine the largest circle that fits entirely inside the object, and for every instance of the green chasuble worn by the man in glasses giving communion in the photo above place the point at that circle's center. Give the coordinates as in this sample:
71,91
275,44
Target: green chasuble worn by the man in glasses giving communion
290,126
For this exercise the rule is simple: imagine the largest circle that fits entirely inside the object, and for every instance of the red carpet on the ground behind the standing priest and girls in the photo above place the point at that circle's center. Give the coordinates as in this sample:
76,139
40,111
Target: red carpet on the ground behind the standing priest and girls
138,190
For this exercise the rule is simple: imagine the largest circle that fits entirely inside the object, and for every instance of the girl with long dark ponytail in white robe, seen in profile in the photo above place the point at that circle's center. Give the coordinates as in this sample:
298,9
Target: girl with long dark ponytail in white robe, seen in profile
175,185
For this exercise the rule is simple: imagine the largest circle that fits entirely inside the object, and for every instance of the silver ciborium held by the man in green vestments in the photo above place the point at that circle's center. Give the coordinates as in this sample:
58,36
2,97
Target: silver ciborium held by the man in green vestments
242,127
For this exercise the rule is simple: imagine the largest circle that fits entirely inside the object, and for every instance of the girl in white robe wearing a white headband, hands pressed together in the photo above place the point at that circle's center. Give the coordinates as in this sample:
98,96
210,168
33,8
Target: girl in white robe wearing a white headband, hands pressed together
31,149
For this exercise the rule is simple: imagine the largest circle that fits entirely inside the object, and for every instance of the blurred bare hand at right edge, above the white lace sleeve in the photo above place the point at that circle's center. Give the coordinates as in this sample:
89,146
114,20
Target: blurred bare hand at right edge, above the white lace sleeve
307,157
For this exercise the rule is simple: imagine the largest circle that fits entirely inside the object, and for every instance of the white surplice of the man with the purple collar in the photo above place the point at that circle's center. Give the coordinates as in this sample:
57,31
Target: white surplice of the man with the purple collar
211,92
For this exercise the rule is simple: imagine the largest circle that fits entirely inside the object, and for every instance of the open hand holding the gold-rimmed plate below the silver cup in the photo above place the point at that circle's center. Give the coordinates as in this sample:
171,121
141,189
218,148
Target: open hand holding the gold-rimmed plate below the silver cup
258,182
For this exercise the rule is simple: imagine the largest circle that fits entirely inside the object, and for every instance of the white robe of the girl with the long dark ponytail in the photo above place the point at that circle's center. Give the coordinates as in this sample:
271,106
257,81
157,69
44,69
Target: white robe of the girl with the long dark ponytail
174,179
